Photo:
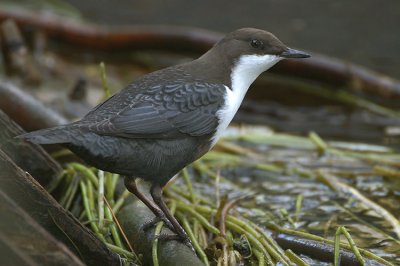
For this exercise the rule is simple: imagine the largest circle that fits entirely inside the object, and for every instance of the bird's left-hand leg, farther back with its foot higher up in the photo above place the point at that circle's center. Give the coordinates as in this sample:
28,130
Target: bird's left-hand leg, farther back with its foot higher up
130,184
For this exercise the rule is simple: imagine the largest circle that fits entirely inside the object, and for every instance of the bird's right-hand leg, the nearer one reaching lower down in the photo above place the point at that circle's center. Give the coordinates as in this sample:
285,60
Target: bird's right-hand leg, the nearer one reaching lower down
156,193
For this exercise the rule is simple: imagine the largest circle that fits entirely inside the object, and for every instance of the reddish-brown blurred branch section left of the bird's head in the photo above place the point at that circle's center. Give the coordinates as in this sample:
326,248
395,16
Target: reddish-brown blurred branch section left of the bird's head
163,37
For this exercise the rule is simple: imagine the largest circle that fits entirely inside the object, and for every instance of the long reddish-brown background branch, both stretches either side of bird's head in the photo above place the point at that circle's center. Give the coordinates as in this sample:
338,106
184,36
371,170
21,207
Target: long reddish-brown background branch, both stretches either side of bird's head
189,39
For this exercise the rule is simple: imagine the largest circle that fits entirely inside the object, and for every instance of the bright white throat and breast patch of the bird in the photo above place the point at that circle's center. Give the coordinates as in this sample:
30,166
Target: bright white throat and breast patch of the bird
246,70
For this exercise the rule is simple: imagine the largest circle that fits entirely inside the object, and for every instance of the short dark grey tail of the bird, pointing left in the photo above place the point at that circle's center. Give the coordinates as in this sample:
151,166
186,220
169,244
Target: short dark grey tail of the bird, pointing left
54,135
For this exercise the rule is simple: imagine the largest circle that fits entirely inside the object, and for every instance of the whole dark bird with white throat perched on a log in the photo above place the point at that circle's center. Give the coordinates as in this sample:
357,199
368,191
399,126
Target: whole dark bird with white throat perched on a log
167,119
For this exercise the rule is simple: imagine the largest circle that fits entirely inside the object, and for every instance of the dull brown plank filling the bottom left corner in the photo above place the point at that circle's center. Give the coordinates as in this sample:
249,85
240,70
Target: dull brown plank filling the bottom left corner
24,242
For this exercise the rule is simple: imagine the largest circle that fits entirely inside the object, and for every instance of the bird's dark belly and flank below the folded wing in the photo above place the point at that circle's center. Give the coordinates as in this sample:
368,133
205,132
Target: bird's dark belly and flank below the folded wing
155,160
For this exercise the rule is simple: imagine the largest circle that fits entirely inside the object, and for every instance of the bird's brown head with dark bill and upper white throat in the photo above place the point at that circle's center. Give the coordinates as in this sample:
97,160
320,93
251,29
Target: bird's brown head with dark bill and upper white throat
246,53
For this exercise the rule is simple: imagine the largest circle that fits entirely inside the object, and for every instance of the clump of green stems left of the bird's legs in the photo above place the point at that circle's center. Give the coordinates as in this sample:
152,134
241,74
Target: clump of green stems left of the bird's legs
90,195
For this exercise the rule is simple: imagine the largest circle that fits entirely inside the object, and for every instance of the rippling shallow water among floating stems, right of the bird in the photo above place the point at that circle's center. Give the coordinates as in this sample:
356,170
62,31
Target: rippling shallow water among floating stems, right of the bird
323,208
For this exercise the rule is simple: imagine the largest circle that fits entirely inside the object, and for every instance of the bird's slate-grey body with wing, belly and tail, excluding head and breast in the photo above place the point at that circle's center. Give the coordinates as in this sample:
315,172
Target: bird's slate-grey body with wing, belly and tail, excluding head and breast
152,128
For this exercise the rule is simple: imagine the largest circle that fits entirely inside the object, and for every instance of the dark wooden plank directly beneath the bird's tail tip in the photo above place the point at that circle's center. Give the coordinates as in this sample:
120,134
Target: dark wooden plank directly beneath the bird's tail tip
30,157
